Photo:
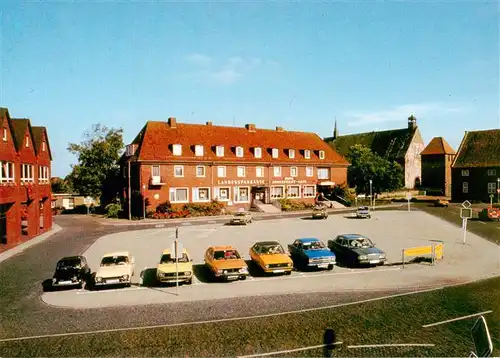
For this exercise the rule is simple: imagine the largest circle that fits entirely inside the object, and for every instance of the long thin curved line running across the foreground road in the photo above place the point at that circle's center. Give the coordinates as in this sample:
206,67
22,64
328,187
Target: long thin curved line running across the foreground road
234,319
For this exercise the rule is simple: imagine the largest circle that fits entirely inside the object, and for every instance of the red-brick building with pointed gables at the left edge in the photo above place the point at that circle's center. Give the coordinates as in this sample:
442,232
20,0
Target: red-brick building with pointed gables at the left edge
25,192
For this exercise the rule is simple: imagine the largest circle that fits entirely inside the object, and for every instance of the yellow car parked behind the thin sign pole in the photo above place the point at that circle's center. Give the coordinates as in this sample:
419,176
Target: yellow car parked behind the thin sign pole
166,271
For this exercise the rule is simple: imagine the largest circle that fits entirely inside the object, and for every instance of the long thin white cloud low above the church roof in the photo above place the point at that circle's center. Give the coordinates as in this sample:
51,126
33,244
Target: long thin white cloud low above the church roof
361,118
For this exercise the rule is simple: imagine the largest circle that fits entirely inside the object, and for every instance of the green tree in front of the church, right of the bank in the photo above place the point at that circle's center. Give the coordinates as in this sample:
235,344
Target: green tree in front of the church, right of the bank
366,165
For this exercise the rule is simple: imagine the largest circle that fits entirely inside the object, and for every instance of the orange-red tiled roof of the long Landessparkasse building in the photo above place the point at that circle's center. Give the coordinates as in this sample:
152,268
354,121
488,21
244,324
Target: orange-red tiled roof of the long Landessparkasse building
156,139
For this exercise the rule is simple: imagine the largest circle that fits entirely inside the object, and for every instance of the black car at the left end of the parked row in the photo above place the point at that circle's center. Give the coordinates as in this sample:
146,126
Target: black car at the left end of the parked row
71,271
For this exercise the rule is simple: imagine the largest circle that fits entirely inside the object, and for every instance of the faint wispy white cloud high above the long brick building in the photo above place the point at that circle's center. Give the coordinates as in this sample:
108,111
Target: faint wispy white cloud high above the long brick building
225,72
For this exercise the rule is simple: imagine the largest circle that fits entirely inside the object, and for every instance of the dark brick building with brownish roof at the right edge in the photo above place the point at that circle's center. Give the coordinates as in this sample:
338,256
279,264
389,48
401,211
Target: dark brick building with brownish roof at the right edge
476,168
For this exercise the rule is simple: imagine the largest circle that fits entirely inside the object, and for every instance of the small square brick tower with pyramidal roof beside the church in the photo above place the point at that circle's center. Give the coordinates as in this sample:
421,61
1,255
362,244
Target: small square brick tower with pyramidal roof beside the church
437,158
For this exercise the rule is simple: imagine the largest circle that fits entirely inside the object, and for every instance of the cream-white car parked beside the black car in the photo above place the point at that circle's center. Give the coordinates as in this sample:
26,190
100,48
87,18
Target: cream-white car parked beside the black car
116,268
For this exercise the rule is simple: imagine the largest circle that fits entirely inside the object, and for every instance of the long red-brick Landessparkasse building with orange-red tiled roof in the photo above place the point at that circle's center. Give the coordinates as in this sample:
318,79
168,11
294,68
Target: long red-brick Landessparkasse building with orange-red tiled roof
195,163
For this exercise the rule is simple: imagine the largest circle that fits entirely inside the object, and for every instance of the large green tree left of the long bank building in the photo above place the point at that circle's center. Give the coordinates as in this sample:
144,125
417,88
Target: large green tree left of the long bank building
97,172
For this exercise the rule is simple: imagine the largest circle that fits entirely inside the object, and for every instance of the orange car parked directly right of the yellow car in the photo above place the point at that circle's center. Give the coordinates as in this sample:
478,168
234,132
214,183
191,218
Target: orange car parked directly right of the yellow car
224,262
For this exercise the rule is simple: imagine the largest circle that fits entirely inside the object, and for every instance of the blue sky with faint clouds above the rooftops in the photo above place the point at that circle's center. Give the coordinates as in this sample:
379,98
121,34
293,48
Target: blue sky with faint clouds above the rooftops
68,65
